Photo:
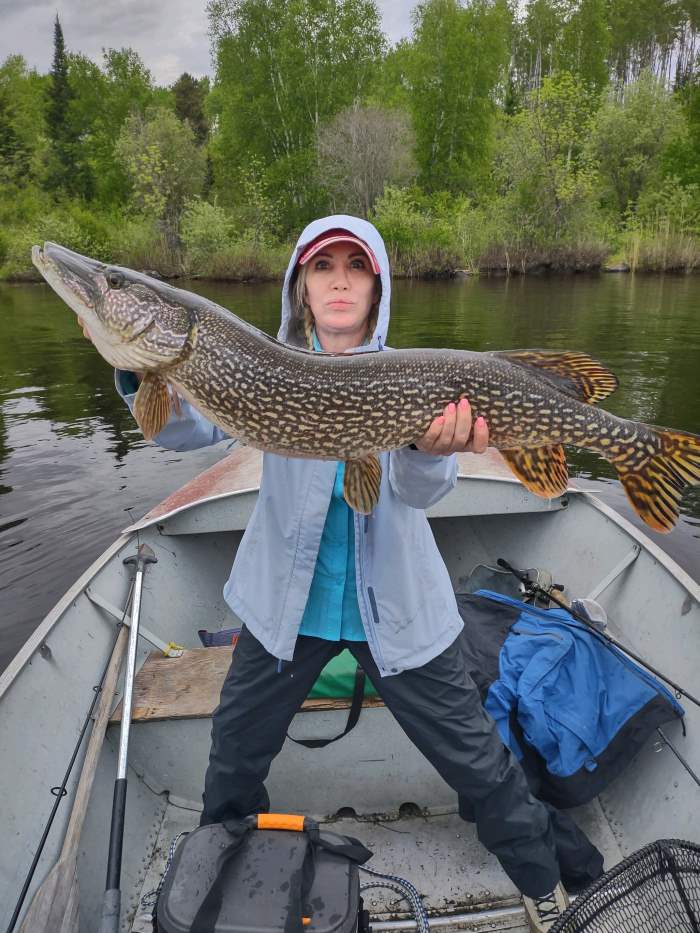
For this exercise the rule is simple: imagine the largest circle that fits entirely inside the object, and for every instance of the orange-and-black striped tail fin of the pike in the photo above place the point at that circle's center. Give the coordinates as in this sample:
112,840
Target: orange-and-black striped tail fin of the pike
656,470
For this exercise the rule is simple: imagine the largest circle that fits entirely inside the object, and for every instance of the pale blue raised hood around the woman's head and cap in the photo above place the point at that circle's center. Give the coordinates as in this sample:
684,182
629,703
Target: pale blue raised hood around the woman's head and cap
365,231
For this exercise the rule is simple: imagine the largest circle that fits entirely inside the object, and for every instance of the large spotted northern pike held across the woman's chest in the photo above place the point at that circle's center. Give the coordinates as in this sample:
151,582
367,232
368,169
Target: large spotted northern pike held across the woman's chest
351,406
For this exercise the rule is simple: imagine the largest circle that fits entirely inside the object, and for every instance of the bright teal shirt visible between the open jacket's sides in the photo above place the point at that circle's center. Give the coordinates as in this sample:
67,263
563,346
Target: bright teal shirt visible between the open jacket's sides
331,609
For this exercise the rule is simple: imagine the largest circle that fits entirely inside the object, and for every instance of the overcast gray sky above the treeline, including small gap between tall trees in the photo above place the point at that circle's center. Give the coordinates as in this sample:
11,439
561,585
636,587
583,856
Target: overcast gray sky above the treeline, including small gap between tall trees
169,35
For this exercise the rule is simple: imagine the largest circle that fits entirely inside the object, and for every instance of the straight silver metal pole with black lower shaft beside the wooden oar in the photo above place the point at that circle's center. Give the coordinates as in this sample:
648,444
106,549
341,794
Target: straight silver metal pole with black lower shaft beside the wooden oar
111,904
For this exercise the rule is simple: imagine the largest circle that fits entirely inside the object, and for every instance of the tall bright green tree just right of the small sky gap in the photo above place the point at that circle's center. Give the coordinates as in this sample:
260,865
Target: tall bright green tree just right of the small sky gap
457,58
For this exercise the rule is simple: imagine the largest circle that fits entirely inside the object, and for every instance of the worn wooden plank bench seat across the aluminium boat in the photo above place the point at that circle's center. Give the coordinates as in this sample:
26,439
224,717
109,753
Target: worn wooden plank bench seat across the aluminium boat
188,687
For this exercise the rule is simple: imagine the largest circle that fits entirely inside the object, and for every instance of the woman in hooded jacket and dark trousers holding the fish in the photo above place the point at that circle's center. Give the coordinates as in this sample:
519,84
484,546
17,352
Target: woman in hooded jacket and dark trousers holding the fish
311,578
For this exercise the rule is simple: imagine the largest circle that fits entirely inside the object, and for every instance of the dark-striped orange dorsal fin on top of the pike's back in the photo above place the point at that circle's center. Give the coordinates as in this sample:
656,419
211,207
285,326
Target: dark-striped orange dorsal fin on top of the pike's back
575,374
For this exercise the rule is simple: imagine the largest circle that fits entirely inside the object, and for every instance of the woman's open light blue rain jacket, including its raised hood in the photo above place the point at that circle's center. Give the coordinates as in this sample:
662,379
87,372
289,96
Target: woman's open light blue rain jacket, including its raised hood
404,592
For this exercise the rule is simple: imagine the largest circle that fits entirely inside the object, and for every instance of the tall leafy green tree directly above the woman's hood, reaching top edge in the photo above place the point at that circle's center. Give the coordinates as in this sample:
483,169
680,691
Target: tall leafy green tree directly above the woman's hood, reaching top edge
282,69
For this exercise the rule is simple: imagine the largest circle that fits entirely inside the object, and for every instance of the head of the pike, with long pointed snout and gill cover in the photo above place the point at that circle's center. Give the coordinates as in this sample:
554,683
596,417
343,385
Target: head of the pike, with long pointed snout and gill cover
135,321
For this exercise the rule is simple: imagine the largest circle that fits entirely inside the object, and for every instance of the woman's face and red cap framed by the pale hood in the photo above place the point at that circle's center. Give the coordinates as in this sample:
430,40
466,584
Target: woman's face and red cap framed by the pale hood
340,290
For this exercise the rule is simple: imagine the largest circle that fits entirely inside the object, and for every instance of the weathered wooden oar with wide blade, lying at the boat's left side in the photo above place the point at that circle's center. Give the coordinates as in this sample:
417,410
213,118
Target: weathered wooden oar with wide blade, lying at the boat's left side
54,908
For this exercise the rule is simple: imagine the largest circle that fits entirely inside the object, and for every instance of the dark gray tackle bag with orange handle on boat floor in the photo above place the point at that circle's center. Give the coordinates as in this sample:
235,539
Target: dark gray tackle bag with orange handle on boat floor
269,873
